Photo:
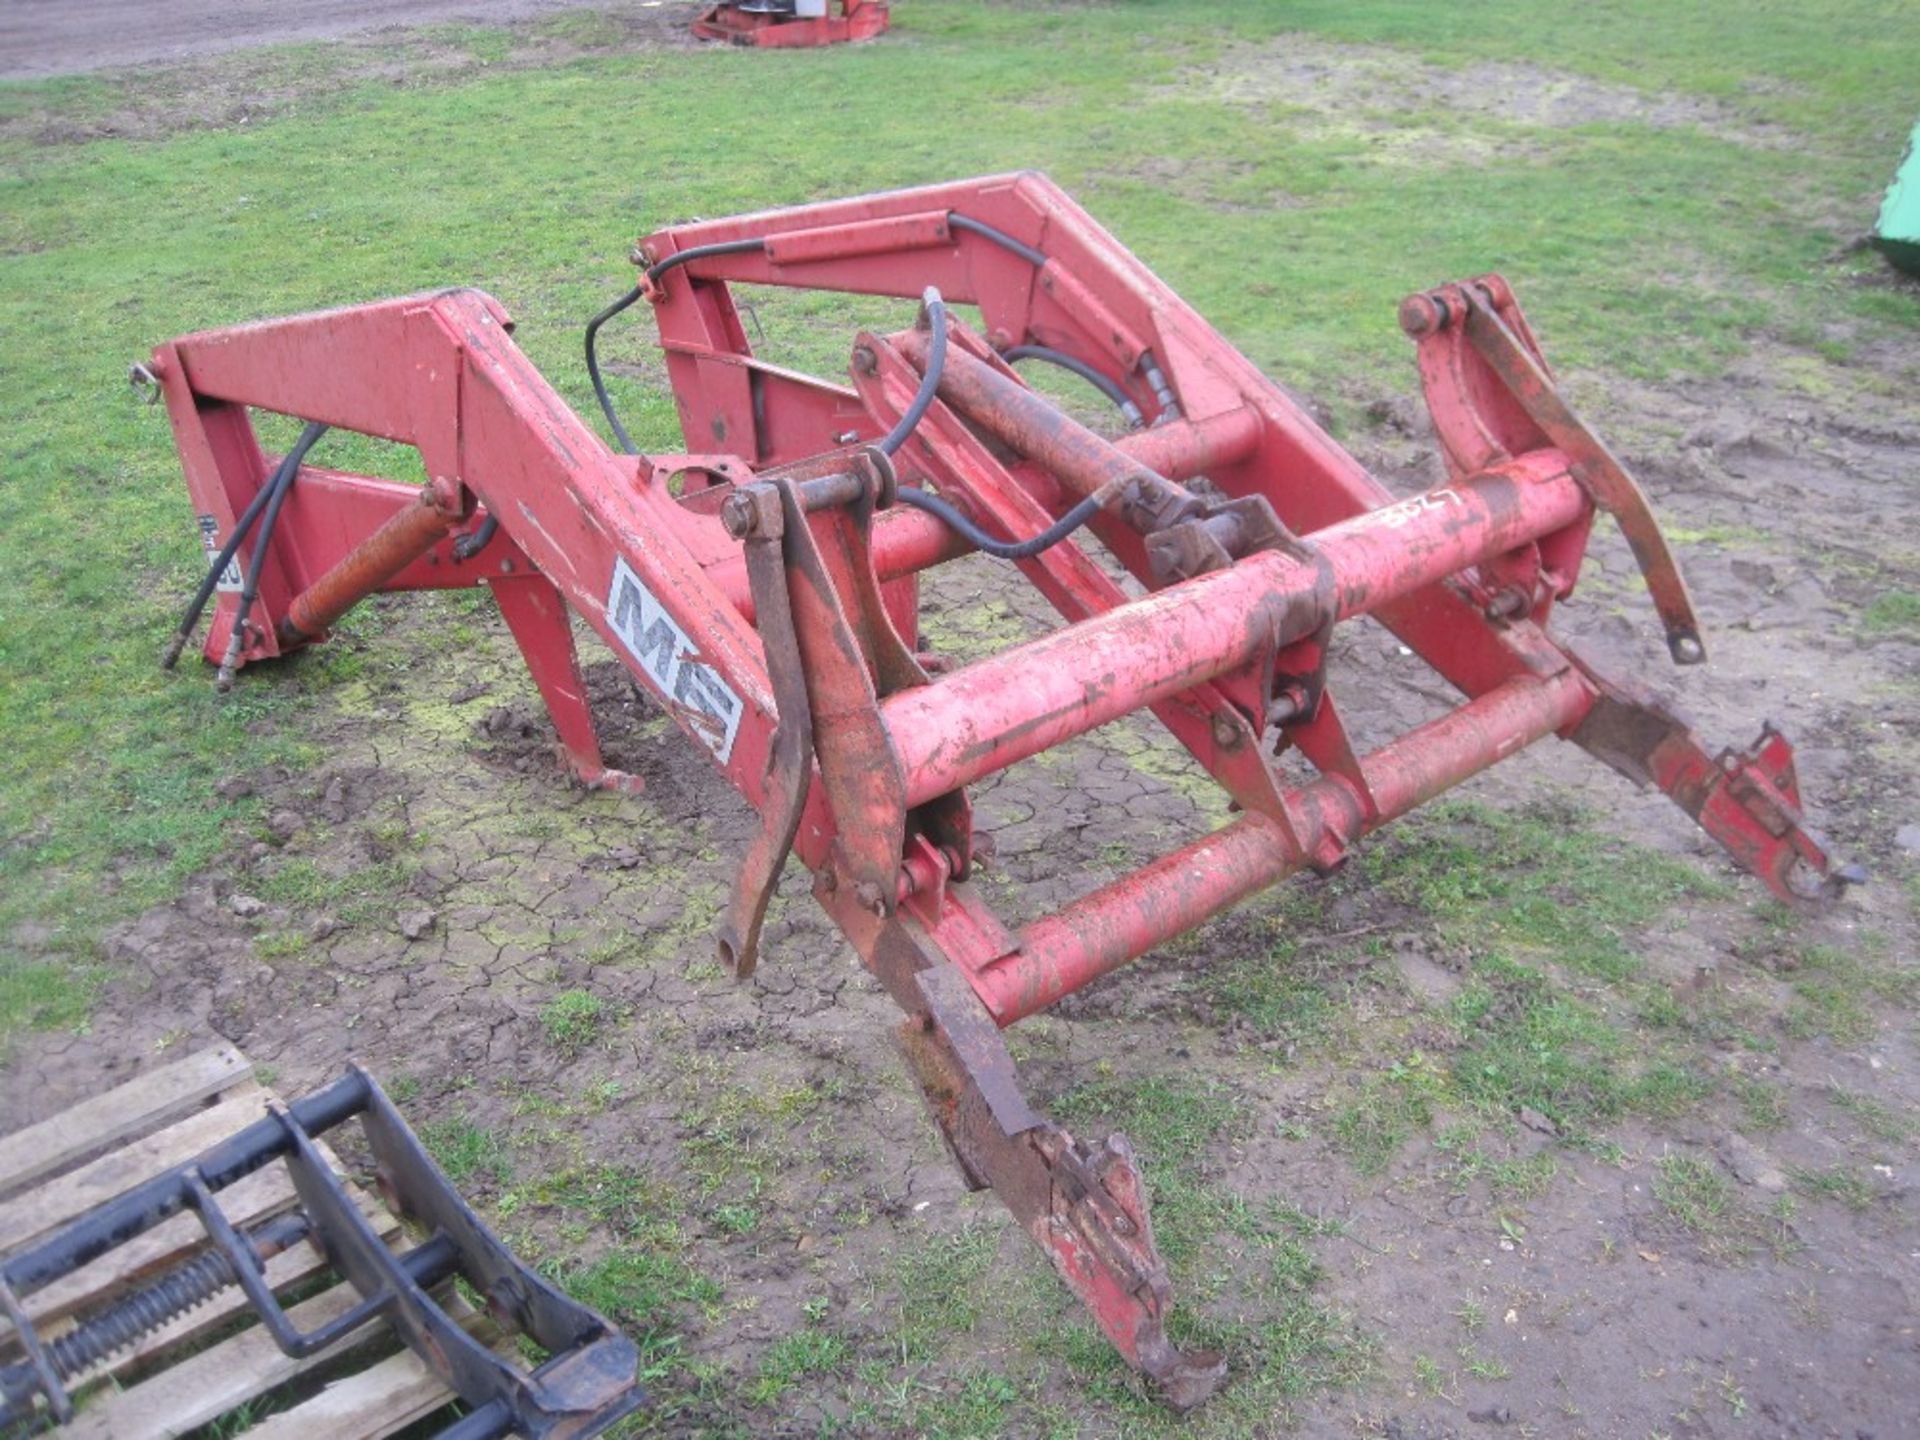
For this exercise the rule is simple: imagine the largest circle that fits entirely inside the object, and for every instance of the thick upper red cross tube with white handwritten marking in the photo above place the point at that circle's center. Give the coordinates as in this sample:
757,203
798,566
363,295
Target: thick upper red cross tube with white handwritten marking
1032,698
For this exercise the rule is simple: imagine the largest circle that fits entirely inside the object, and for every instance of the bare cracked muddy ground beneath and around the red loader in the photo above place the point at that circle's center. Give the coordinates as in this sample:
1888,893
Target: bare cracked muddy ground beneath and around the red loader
421,900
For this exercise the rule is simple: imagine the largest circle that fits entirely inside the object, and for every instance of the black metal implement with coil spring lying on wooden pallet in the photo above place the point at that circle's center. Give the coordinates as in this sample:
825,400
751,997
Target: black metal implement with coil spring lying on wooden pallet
587,1385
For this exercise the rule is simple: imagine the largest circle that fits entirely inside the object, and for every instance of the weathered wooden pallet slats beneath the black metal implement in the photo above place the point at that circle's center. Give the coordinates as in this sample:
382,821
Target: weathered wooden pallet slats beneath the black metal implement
199,1368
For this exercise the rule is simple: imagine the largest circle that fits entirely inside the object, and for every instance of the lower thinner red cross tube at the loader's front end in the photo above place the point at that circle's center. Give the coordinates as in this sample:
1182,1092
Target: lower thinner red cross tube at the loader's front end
1182,890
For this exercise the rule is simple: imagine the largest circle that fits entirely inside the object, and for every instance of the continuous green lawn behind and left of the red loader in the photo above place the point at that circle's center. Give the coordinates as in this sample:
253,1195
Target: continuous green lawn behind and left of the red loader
1293,231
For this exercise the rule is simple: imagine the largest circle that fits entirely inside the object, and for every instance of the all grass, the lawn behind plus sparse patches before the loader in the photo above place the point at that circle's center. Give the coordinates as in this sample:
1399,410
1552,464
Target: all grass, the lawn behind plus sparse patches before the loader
1669,189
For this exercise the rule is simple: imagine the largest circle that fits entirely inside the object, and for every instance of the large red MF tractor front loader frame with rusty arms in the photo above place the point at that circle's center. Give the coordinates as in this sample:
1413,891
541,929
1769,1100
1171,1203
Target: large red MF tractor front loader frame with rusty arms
763,590
